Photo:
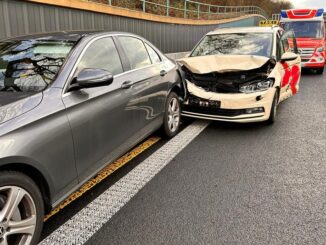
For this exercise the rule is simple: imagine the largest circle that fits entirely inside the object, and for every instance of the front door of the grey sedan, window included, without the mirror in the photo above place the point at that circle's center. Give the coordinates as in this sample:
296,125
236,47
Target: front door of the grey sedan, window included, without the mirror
103,125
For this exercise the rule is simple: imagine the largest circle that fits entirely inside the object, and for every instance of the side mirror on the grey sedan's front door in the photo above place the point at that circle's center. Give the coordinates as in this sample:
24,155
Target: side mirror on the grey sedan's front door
90,78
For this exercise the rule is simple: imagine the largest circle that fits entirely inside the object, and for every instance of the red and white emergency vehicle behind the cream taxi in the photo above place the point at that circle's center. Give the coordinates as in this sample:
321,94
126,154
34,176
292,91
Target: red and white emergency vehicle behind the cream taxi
309,28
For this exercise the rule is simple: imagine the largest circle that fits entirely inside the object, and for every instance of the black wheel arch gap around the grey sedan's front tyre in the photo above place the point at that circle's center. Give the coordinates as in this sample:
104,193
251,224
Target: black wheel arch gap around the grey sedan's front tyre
37,176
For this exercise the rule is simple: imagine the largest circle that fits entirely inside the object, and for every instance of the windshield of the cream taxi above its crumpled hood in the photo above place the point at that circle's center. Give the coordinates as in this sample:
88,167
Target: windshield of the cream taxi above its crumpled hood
259,44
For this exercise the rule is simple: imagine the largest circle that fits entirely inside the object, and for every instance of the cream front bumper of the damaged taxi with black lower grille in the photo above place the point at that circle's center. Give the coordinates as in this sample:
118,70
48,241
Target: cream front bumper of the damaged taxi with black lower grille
239,107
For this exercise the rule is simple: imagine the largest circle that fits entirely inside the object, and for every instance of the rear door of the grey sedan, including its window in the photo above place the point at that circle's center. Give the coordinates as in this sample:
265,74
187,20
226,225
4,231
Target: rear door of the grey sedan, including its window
149,82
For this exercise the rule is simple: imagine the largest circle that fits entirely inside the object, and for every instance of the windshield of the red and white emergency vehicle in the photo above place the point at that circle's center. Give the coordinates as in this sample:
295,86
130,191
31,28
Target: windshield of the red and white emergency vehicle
305,29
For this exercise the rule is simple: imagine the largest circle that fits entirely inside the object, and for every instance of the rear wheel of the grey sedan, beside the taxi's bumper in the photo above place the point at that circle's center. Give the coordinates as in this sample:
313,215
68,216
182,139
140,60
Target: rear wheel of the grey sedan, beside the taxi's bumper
172,116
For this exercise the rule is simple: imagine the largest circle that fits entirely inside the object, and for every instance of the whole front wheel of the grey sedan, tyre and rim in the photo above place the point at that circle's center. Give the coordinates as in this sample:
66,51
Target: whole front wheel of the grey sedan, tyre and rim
30,207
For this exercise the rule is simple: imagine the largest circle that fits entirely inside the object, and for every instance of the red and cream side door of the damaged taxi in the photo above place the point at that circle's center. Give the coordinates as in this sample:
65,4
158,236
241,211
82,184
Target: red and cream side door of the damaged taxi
291,69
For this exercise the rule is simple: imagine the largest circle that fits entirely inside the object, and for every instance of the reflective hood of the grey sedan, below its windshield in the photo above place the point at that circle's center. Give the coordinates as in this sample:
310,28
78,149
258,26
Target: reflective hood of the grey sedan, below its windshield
15,104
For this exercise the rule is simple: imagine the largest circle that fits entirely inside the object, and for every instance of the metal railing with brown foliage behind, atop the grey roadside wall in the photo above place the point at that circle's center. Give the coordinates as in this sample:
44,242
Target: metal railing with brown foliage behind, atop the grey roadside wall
189,9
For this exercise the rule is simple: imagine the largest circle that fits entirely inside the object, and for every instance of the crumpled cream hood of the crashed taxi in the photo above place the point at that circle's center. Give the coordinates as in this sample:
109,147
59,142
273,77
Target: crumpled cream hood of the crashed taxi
223,63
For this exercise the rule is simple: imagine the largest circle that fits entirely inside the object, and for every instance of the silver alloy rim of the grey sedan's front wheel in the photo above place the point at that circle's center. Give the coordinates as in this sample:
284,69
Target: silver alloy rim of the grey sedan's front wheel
17,216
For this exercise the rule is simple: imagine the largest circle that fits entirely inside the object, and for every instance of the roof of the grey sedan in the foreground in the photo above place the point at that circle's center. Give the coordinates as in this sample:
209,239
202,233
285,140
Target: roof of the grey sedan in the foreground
72,36
